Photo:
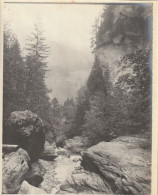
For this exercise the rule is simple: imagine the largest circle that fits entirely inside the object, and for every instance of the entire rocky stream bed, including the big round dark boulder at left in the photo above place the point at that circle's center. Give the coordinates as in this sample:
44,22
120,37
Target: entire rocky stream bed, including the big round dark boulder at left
121,166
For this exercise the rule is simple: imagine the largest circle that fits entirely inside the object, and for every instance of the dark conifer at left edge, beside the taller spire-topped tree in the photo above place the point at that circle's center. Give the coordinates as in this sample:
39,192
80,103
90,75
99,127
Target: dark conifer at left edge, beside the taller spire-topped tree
14,74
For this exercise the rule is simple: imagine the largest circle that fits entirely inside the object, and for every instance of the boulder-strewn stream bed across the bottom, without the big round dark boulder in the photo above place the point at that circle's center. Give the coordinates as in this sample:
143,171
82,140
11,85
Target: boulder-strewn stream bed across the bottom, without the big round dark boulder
122,166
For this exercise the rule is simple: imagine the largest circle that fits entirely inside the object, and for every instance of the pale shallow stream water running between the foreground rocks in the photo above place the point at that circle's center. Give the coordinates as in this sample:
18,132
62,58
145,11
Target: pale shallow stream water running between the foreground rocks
58,171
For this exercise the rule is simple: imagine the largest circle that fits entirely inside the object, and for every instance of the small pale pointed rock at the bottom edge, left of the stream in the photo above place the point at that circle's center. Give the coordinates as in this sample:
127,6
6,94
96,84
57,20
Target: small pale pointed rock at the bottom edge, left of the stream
26,188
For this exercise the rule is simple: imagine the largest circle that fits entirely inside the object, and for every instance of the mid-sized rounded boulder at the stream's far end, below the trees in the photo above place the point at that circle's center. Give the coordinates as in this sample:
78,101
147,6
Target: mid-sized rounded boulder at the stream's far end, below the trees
76,144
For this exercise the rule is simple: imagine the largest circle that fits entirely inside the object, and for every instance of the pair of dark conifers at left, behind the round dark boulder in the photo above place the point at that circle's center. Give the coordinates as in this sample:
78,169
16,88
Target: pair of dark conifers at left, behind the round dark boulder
24,78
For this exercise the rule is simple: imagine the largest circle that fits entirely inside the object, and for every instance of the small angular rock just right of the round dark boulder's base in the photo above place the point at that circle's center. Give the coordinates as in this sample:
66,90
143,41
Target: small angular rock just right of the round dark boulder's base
49,153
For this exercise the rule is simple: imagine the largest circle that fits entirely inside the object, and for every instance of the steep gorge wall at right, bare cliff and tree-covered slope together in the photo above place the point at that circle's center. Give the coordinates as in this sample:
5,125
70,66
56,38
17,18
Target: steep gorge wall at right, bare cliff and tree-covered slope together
121,72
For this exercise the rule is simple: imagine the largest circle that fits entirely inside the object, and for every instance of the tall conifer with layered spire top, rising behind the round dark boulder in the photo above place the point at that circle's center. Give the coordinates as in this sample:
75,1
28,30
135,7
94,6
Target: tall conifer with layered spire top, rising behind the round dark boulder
36,66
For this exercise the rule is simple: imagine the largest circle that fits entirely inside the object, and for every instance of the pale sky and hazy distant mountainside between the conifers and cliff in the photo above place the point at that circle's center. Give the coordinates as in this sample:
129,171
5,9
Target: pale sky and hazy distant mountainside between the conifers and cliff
68,32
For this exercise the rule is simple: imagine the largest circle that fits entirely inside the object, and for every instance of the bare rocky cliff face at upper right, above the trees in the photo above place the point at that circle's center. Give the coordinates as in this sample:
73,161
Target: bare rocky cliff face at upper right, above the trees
123,29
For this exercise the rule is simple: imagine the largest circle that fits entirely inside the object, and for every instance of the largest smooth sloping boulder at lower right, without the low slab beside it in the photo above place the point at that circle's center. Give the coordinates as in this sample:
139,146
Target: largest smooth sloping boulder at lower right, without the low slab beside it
123,163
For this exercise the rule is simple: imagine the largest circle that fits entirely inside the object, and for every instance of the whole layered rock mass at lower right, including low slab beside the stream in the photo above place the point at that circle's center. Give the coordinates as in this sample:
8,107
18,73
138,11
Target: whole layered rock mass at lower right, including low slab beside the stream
118,167
